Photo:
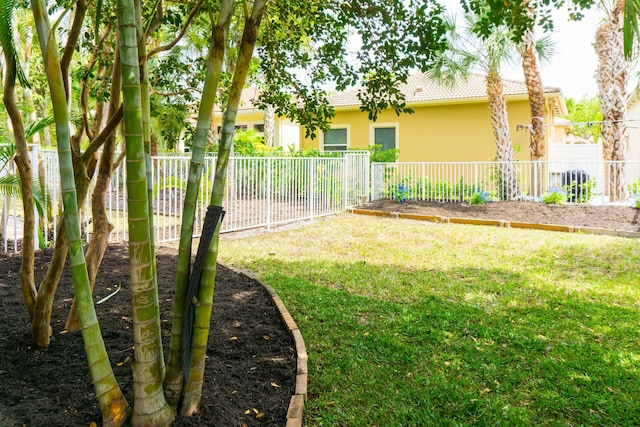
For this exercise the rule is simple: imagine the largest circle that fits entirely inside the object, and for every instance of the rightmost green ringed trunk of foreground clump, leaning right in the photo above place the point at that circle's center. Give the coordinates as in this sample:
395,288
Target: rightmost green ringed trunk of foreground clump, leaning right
193,386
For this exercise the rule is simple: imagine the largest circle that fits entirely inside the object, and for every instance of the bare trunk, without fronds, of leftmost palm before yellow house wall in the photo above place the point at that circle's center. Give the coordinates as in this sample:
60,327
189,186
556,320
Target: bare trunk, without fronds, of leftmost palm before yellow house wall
507,177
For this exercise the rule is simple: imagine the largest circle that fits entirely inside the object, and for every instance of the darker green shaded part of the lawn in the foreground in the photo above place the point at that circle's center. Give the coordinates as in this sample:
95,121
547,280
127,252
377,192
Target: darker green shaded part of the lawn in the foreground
464,346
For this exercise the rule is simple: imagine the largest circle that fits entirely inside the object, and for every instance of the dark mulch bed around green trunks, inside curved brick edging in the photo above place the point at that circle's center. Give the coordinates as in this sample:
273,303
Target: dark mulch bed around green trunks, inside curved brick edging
250,365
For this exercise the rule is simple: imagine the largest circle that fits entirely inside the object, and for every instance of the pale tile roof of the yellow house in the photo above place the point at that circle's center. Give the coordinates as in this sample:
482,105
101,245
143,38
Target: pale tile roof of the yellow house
421,89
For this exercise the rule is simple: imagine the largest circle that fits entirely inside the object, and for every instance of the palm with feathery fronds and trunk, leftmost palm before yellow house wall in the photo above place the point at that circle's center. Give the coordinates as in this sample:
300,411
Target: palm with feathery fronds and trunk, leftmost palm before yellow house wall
466,52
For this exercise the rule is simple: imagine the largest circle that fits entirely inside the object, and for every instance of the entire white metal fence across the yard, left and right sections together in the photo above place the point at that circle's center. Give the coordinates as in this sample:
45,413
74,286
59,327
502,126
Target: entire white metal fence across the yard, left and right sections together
268,191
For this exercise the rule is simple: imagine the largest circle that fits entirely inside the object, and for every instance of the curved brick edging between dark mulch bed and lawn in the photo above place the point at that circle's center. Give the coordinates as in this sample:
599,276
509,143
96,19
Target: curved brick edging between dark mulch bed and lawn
296,405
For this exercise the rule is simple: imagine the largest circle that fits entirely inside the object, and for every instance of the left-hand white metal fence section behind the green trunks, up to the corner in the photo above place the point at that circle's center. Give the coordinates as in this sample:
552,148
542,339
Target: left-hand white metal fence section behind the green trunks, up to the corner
261,192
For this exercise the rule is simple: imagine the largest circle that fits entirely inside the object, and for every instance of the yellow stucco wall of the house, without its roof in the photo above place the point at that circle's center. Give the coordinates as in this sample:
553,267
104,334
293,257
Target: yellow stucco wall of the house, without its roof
437,133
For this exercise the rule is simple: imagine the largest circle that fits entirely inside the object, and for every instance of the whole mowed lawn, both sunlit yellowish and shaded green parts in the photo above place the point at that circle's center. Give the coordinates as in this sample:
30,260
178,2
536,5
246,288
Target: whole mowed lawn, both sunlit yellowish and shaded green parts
415,324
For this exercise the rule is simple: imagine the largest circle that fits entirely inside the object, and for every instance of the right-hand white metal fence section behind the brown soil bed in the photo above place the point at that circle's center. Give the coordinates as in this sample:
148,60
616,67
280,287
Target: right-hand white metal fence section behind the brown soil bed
595,182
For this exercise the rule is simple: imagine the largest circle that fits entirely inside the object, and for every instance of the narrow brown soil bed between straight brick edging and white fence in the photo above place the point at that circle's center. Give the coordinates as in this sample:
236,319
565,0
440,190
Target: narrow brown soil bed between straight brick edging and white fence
611,217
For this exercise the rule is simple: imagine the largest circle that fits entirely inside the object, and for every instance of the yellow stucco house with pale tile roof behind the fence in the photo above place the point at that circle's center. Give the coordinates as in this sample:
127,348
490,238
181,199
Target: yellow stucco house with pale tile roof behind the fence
448,124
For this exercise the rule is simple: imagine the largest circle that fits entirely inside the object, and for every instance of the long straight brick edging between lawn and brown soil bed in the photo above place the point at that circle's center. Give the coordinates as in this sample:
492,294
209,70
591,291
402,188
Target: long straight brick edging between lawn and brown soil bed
498,223
